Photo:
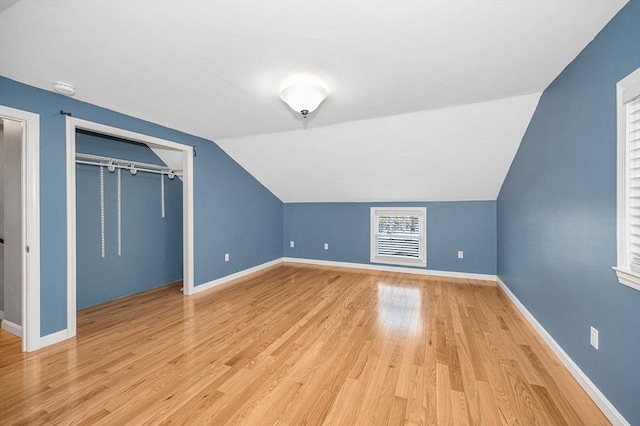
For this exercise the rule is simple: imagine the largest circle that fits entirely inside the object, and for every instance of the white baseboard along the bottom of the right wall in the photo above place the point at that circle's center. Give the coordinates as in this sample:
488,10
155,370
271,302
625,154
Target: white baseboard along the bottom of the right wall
596,395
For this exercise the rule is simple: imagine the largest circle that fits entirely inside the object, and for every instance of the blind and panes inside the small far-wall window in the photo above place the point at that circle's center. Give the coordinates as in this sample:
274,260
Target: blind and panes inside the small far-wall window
399,235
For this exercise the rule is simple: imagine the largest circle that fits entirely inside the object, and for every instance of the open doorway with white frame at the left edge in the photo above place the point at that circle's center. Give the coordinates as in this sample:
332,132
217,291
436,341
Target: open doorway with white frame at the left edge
20,229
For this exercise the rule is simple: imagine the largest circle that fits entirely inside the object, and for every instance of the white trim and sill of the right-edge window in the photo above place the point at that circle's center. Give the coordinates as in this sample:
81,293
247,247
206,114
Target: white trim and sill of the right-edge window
627,89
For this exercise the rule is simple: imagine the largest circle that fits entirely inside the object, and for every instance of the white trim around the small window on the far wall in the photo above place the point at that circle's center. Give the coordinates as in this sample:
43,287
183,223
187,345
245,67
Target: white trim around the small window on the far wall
391,260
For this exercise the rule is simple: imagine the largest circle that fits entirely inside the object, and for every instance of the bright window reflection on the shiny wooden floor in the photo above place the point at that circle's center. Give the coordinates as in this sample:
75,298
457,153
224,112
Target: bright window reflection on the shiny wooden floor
399,309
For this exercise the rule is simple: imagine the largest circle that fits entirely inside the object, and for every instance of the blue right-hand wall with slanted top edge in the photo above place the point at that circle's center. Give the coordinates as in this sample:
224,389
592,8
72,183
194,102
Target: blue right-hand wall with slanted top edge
557,216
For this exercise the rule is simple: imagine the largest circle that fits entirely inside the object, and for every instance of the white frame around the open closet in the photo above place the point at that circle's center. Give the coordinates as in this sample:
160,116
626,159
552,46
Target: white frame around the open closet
74,124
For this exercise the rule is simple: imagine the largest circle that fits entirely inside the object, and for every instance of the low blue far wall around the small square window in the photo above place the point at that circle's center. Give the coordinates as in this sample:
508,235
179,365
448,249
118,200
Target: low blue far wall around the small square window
451,226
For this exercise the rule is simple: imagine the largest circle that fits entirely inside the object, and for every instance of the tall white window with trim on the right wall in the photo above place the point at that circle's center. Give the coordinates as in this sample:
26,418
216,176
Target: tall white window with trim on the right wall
628,100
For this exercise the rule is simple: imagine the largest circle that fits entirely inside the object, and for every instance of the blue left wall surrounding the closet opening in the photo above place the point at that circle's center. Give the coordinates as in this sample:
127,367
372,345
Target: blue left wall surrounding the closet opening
234,213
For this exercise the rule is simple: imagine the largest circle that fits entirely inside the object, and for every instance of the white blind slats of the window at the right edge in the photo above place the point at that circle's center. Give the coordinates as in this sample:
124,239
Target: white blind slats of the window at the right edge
632,119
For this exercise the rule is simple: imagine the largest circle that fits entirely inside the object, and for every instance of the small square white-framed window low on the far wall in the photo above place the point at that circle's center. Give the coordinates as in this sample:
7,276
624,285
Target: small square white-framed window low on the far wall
399,235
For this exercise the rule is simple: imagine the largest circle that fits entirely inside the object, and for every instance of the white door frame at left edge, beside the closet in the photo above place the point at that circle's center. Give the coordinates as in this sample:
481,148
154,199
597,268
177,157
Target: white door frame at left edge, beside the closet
30,194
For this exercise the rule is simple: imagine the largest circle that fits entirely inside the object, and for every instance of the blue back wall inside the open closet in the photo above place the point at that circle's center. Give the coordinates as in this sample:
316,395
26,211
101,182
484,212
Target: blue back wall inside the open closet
151,245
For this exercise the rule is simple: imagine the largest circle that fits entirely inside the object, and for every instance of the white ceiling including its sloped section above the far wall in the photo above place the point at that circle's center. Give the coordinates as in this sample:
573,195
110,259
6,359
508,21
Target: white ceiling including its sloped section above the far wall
214,69
